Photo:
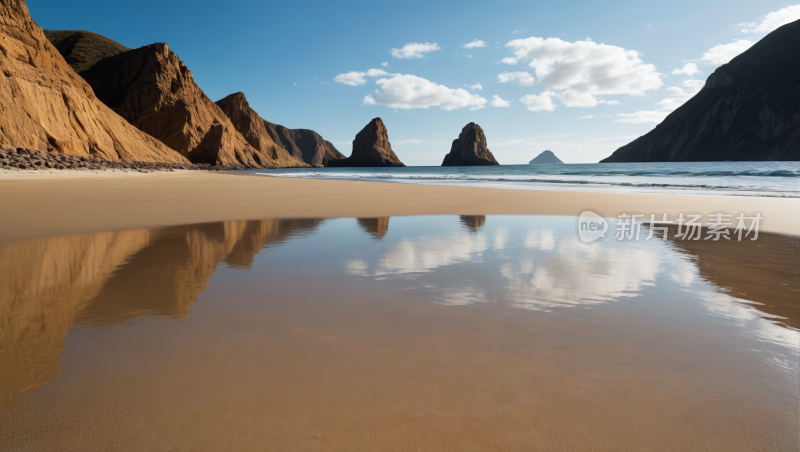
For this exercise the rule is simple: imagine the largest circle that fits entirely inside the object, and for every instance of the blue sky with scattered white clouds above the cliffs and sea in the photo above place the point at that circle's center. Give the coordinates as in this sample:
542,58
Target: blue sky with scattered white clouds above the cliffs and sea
300,64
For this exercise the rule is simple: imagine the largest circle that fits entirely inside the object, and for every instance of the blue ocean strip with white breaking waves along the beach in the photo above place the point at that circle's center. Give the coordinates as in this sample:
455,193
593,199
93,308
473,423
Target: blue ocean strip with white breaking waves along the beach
773,179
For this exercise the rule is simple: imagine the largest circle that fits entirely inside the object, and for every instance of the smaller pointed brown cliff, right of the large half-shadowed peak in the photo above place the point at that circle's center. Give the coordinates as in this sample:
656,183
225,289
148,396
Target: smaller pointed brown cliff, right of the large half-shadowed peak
254,129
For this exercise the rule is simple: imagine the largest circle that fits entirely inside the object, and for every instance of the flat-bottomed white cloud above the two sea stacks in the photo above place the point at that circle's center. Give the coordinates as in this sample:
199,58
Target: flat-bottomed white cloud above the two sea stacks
409,91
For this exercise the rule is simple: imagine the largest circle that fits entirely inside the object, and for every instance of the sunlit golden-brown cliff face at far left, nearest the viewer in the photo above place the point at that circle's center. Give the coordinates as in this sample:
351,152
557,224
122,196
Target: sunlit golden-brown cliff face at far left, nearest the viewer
45,105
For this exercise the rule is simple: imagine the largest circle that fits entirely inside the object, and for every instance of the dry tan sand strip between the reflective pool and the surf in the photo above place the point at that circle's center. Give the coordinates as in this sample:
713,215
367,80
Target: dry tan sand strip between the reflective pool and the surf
75,202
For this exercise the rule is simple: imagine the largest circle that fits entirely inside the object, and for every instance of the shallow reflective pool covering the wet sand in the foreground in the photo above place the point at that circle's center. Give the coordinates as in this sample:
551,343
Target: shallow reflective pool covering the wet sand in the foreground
403,333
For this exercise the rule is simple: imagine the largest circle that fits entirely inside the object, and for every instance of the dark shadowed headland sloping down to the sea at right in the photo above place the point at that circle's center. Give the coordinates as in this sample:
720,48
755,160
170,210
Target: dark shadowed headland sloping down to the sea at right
748,110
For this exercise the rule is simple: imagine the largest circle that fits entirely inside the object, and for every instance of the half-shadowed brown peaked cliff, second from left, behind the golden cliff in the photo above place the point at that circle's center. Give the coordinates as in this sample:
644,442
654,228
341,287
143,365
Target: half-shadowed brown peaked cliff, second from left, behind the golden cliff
152,89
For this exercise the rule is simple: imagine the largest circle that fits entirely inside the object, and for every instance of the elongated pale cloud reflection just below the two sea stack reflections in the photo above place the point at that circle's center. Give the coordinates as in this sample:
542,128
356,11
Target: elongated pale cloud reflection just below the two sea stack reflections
423,255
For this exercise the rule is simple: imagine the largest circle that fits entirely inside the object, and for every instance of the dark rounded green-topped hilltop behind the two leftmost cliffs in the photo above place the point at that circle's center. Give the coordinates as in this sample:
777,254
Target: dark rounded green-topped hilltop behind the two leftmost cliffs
83,49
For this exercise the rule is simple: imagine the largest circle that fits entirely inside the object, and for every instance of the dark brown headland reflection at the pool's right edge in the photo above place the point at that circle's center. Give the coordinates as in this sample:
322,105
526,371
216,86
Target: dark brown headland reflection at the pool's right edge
765,271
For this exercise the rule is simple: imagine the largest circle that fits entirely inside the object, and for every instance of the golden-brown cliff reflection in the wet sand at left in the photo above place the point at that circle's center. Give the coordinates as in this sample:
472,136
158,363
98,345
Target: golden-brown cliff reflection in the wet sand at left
48,286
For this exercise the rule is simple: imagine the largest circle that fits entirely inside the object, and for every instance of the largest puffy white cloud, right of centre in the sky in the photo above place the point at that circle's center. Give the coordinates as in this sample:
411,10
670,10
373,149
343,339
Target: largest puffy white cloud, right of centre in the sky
582,70
